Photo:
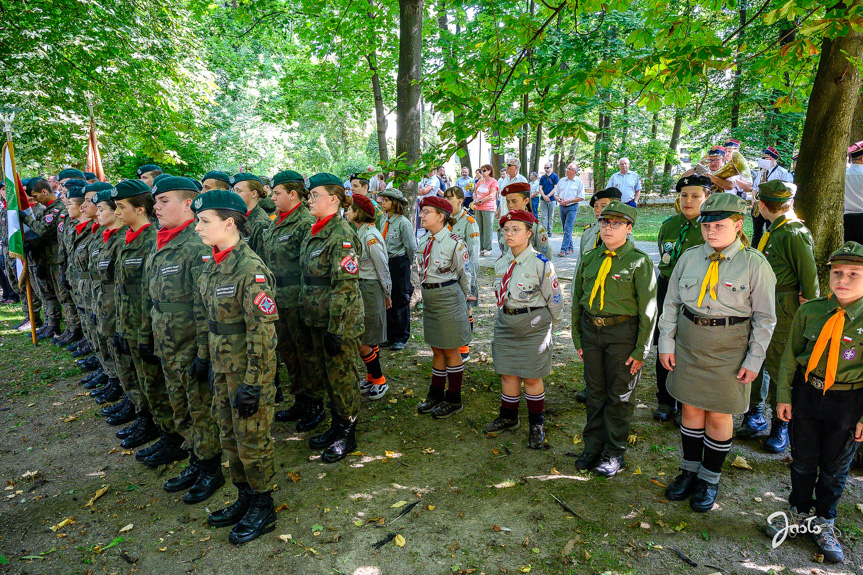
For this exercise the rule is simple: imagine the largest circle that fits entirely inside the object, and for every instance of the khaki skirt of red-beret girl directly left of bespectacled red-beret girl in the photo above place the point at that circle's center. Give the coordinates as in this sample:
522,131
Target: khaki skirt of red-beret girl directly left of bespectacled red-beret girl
445,322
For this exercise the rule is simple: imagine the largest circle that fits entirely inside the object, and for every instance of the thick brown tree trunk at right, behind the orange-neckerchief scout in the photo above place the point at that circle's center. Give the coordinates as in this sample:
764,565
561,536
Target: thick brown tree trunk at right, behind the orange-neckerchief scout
820,174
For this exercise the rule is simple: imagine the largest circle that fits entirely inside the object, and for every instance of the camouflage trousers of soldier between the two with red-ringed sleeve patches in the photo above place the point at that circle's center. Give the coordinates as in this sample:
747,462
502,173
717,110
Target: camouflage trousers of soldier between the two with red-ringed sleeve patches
306,375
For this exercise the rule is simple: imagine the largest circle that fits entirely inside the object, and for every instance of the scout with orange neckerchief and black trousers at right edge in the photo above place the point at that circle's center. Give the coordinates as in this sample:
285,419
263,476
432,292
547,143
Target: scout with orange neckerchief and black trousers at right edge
819,388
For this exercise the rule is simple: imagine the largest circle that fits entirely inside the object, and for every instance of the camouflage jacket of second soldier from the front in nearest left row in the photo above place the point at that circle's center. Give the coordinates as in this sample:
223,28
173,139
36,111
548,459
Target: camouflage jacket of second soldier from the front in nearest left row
170,283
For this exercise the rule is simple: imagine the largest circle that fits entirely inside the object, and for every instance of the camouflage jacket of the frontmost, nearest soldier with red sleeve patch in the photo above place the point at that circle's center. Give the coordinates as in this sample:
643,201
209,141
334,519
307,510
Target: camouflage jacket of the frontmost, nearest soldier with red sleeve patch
239,315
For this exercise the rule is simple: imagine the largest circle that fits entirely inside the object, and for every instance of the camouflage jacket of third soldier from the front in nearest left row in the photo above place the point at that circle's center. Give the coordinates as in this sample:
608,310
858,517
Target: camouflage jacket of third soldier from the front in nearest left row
129,282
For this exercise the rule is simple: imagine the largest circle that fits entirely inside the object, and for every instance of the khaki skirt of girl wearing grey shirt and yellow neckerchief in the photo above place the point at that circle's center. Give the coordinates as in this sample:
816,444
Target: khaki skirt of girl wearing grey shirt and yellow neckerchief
708,359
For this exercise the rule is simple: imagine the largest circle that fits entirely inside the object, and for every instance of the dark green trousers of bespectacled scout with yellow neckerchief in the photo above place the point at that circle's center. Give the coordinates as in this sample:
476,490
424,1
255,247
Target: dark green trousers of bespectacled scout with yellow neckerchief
608,385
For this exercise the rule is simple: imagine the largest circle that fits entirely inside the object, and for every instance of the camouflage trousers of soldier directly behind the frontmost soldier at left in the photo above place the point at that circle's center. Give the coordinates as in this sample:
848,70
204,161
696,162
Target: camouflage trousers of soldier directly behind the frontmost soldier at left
192,403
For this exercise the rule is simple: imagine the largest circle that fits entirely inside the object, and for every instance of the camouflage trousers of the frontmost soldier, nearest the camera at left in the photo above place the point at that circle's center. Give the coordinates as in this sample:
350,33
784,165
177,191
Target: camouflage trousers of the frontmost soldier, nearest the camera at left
247,442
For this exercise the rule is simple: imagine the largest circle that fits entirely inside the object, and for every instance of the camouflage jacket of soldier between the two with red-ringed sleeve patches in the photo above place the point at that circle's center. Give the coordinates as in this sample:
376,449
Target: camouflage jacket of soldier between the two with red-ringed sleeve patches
282,244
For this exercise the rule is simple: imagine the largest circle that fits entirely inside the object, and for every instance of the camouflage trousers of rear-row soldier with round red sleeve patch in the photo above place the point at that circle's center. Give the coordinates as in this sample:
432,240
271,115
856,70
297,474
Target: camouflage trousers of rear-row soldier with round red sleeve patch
341,375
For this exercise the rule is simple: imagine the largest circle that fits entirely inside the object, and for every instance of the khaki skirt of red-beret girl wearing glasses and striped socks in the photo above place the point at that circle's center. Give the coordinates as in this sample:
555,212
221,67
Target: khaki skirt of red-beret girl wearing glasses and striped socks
522,344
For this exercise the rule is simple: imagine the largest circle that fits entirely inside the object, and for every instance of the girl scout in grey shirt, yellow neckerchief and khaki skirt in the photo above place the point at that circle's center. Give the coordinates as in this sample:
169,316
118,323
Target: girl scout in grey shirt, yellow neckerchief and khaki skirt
720,298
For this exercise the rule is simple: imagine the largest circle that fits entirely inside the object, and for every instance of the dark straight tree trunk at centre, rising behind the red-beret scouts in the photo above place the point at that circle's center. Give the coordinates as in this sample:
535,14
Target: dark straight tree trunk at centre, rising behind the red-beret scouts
408,91
